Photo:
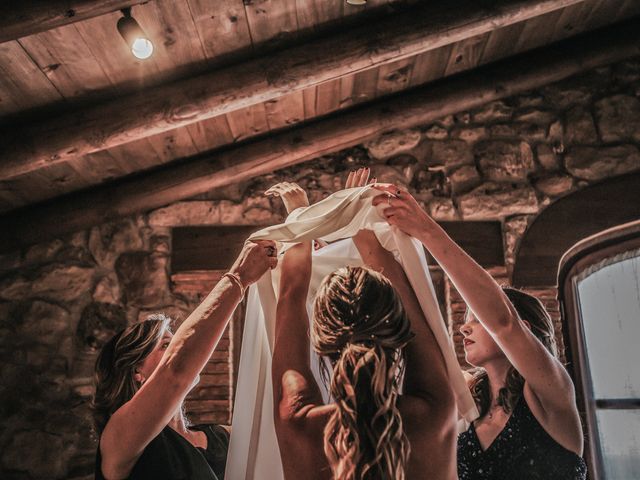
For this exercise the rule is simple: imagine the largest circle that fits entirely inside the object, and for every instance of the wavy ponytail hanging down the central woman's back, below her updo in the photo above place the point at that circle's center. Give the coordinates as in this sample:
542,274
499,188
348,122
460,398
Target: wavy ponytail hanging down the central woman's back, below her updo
364,438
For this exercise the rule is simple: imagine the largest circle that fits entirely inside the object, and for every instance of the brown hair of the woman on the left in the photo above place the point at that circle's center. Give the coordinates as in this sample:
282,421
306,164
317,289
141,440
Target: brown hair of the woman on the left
116,365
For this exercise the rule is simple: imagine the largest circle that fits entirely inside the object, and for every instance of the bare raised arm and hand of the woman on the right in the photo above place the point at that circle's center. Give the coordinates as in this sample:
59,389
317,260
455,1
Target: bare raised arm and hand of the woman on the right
544,374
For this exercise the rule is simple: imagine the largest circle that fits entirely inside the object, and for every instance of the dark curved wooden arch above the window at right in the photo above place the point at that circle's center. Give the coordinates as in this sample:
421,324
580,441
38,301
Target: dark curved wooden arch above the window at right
569,220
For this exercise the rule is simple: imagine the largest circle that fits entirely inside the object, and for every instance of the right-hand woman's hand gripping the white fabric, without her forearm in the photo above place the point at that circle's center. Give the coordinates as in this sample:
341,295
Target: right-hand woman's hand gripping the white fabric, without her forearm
402,210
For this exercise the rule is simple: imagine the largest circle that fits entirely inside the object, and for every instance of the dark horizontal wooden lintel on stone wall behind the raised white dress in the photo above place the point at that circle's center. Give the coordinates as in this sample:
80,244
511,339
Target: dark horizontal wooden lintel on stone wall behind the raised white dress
215,248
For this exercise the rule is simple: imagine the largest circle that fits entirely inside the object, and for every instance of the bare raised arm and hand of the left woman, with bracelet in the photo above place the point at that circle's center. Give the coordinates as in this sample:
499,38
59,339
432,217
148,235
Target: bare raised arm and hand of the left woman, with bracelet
137,422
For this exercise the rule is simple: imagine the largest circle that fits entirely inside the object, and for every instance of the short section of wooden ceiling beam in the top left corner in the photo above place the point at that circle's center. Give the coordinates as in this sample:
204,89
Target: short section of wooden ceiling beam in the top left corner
20,19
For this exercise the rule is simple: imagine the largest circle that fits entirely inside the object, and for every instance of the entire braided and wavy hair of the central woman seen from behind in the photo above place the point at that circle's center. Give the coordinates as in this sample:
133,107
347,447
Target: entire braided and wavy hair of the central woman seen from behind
360,325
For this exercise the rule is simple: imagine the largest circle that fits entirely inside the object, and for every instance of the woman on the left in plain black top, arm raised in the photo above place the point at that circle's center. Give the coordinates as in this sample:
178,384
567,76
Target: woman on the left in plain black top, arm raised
143,375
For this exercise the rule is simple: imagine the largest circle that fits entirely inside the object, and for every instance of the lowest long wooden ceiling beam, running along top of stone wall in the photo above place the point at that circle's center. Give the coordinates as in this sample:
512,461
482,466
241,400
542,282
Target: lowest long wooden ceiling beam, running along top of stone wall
241,162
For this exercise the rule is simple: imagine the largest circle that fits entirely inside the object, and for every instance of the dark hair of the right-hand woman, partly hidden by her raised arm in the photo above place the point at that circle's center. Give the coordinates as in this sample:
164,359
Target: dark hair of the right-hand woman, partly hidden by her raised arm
530,309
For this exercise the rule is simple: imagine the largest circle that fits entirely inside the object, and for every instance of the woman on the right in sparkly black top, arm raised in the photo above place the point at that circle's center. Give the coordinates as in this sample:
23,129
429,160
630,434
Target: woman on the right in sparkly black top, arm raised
529,427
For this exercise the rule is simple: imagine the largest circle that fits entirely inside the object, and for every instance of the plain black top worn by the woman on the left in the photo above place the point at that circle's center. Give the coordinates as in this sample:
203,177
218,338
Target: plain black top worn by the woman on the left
170,456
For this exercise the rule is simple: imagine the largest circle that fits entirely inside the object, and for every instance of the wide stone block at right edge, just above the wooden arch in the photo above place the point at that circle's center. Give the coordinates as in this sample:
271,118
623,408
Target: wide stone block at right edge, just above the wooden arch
593,164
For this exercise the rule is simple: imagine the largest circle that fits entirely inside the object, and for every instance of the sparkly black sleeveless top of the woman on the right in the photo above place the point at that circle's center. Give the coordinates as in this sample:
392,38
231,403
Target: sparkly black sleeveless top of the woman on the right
523,450
